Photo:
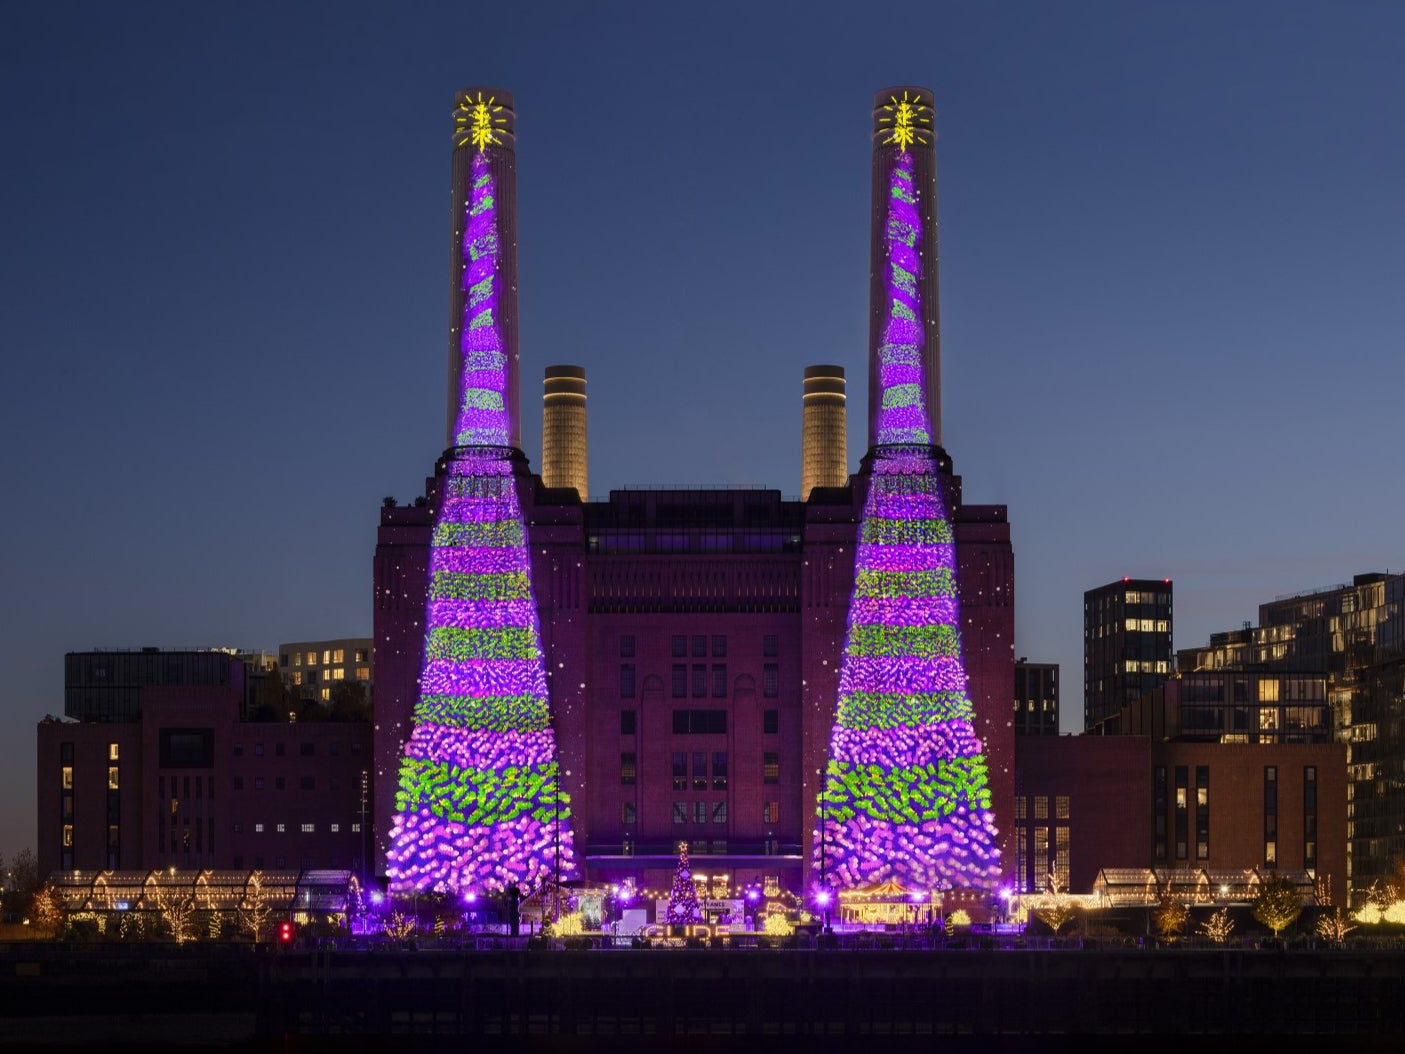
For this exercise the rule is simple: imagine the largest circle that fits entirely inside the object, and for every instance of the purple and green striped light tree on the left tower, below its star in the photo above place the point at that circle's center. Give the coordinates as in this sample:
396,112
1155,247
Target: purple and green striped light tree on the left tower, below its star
480,802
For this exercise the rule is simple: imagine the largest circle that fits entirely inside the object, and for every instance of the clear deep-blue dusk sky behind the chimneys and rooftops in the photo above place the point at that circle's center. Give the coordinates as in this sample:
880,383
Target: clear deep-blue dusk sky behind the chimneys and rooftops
1172,290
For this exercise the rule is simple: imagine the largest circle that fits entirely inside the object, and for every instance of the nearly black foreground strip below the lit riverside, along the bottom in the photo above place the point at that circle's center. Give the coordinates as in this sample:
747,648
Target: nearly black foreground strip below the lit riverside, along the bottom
685,1000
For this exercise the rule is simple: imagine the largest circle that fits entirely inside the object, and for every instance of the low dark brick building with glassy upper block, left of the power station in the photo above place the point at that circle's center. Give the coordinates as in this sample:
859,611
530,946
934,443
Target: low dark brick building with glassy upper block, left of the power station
166,772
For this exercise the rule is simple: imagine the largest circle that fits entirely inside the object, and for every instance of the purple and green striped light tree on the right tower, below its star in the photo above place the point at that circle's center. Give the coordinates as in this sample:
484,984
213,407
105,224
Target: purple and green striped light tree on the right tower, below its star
906,790
